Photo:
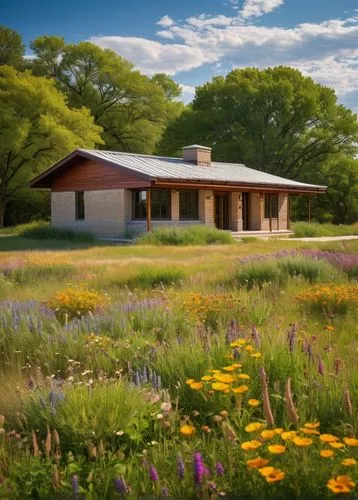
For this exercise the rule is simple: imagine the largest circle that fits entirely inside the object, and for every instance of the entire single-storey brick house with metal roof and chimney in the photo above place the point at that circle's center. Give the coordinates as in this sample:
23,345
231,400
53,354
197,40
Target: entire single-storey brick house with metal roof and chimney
111,193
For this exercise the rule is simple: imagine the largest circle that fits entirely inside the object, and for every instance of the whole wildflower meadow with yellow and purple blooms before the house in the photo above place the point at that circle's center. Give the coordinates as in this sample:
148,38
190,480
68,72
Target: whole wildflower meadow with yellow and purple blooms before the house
219,371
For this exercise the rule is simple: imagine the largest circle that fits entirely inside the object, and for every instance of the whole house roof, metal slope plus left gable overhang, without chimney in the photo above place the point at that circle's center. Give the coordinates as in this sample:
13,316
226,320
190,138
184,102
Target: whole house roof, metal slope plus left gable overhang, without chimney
176,169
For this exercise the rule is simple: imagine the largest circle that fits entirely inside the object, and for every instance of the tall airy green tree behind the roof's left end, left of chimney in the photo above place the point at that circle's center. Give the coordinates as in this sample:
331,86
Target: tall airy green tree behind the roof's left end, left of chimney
131,108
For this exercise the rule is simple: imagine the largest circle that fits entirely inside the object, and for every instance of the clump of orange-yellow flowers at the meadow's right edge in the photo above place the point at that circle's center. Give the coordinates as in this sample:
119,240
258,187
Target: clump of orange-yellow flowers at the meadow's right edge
330,299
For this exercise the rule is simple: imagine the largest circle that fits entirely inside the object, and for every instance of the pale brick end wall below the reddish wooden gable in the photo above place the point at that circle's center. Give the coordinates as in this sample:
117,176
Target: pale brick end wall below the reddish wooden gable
104,212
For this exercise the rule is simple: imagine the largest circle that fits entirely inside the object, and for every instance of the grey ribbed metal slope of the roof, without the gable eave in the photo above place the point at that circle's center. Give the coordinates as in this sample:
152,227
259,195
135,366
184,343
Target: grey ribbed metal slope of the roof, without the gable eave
158,167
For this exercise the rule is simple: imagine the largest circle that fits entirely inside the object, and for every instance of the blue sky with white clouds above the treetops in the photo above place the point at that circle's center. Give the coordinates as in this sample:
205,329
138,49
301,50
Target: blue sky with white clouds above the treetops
195,40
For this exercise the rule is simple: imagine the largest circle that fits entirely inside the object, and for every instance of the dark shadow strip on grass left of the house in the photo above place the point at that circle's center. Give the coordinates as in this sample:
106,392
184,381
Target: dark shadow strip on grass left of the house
9,243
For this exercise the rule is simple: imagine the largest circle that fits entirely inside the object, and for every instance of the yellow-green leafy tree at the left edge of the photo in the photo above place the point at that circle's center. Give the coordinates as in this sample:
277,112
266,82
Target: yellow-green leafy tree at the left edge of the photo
36,129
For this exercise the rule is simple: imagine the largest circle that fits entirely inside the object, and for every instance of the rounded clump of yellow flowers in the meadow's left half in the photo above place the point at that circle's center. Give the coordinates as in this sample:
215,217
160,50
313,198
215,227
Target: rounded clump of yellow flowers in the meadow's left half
74,303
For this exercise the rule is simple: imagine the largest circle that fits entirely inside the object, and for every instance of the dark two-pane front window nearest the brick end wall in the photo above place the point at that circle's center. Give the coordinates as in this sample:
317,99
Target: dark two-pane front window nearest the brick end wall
160,206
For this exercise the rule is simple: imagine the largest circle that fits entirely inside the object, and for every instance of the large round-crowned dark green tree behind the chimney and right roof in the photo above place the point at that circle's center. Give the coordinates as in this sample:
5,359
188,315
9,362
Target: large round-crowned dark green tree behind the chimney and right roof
275,120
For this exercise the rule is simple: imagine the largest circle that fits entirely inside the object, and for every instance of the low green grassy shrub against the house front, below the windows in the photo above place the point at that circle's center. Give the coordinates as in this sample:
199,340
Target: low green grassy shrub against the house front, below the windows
192,235
